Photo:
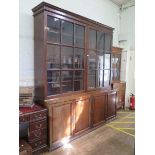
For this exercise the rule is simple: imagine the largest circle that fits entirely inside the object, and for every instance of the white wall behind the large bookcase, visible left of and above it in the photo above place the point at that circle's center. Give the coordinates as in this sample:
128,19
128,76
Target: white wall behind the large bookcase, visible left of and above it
102,11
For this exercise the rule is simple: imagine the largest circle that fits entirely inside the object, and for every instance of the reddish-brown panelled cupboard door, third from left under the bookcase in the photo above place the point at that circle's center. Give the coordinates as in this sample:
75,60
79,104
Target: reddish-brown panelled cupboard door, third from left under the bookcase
99,109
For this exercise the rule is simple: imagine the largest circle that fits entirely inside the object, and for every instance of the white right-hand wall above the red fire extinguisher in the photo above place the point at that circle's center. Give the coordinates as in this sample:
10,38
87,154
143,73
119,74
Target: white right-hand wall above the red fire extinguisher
127,41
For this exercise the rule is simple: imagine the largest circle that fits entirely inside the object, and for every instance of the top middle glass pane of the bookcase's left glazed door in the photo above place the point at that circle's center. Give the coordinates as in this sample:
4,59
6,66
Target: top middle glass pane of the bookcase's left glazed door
67,33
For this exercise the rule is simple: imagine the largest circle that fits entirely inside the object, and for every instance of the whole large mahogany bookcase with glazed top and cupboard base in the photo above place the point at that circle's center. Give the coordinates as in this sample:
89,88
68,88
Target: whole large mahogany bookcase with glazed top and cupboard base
72,61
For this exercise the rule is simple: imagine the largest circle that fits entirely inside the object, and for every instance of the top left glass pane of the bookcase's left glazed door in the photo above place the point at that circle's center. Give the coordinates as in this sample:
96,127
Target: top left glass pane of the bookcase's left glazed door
53,31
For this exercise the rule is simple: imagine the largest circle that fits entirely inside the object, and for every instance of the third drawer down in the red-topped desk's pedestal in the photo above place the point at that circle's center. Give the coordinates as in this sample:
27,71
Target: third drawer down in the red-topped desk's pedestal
37,134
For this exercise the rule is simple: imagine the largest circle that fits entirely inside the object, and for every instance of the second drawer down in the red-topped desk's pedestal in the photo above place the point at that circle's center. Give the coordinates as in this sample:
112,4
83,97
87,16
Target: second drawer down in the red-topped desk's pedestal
38,125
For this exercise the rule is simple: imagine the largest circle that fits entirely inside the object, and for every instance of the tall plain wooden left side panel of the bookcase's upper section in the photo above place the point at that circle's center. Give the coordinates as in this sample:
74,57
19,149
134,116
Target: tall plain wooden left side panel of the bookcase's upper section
39,56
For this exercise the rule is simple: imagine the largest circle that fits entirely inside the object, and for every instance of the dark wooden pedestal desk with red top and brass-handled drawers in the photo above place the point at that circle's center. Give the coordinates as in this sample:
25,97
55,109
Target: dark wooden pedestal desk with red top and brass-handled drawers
37,131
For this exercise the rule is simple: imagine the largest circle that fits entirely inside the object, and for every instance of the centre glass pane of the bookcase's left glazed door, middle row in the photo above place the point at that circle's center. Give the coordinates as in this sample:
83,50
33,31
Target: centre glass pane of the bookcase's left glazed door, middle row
67,57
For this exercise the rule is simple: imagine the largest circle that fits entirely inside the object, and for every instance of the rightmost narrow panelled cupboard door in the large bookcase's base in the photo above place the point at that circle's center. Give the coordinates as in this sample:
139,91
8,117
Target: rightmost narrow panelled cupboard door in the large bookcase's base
111,104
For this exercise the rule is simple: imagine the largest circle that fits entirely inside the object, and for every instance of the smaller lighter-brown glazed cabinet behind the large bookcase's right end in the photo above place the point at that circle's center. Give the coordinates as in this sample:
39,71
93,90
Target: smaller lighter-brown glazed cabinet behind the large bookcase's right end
117,83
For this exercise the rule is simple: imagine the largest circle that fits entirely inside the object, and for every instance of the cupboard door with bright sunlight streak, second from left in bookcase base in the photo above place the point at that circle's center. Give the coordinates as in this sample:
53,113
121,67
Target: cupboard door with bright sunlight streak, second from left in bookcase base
82,115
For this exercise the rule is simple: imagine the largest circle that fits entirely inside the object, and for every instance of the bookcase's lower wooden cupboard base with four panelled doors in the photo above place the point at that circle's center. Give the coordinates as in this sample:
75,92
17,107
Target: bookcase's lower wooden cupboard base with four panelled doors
72,116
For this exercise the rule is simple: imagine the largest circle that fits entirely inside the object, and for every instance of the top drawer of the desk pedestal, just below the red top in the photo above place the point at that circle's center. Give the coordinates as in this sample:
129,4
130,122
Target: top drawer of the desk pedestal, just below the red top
38,116
